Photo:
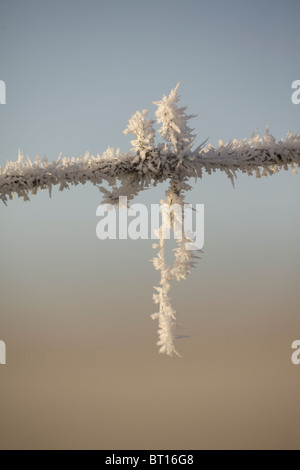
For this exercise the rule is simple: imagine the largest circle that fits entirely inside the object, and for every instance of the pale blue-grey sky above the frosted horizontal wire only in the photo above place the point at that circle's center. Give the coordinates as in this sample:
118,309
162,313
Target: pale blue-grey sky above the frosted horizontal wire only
75,71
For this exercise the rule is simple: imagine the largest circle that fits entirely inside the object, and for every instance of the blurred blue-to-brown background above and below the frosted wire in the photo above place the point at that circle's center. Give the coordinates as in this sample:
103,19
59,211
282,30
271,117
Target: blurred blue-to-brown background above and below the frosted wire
83,369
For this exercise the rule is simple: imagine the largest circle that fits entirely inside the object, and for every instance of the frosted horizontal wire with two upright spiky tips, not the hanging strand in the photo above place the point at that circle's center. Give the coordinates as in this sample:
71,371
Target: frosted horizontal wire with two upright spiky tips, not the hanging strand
148,163
